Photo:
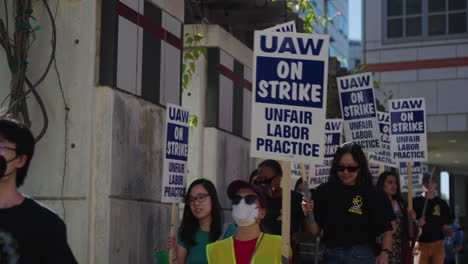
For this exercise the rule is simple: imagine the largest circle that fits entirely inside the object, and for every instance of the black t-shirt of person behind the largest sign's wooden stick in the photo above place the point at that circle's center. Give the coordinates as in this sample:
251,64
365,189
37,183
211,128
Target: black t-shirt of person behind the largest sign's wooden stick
272,221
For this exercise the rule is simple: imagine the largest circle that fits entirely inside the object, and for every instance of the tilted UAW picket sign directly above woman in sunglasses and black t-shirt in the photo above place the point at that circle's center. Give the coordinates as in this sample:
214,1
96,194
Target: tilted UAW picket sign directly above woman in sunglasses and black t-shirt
359,110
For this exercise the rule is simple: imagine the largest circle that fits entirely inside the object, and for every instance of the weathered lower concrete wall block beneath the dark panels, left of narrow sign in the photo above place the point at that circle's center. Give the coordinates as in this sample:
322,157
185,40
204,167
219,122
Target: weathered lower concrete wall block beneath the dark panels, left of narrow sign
129,218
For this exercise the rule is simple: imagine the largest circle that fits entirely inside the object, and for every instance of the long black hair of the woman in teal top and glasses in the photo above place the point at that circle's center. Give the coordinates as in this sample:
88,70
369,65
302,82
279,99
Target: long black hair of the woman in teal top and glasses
190,224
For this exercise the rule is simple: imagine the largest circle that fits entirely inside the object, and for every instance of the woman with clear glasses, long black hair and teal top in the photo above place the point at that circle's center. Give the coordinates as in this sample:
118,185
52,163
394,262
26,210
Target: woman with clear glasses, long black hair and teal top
201,224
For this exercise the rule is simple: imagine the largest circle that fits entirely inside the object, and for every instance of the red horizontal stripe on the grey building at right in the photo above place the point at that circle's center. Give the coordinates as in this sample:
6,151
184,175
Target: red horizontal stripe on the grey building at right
417,65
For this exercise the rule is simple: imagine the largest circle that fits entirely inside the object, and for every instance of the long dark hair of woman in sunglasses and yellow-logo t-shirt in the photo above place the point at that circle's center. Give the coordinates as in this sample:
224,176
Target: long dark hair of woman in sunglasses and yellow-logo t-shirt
364,177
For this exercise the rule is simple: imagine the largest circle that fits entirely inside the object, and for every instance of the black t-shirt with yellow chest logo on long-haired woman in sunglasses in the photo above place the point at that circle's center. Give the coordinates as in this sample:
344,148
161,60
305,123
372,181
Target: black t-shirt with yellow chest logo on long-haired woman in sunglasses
351,215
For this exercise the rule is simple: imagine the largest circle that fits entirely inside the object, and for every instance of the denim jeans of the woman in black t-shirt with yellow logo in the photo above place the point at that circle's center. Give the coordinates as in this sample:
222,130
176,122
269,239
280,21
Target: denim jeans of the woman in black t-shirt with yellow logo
358,254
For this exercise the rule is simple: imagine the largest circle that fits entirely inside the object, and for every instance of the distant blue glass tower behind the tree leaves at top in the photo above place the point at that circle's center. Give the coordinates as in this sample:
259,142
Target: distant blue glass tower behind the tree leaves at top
337,28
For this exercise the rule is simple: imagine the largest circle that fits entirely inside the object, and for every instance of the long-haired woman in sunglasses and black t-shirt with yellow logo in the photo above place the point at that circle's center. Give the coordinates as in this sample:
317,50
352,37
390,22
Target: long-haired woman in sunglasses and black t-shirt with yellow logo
350,211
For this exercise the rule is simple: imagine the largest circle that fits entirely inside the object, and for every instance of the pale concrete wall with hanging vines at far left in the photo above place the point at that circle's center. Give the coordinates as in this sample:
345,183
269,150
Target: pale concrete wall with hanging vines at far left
60,171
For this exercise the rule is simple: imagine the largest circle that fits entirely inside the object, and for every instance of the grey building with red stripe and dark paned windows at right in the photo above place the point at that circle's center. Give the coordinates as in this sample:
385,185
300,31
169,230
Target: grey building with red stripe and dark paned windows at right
419,48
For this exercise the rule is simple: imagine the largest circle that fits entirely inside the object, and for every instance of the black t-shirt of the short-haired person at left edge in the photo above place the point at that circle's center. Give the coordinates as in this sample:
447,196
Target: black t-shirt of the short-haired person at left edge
33,234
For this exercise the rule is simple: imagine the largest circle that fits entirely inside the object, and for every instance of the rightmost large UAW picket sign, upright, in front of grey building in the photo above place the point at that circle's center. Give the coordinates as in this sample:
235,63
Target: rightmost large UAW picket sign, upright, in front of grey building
408,129
